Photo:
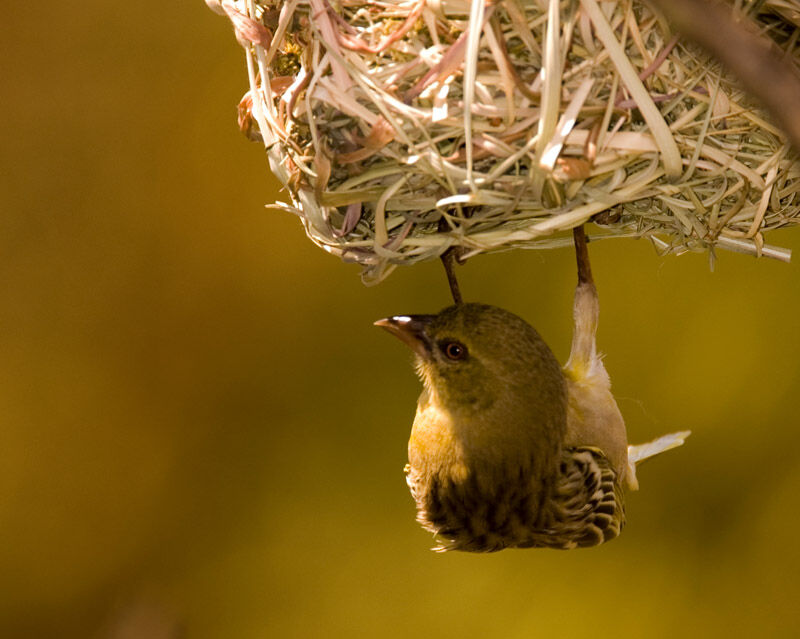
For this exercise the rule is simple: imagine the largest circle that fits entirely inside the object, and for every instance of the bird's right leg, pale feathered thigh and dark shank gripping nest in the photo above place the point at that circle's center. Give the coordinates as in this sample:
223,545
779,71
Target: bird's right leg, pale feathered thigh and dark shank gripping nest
586,309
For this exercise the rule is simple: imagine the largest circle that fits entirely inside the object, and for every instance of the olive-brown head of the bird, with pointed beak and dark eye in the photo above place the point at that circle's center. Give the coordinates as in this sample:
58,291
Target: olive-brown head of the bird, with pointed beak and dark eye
473,355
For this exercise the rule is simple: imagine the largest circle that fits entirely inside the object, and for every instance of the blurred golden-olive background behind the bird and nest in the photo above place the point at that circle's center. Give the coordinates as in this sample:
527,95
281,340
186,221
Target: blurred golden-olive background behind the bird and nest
203,434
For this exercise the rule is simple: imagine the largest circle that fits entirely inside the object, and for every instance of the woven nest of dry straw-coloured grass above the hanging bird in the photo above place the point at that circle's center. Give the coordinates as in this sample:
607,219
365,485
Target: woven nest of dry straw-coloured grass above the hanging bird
403,128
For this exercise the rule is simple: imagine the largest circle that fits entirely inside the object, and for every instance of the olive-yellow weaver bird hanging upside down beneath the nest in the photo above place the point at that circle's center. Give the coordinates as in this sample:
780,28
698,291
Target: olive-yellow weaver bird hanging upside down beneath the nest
509,450
